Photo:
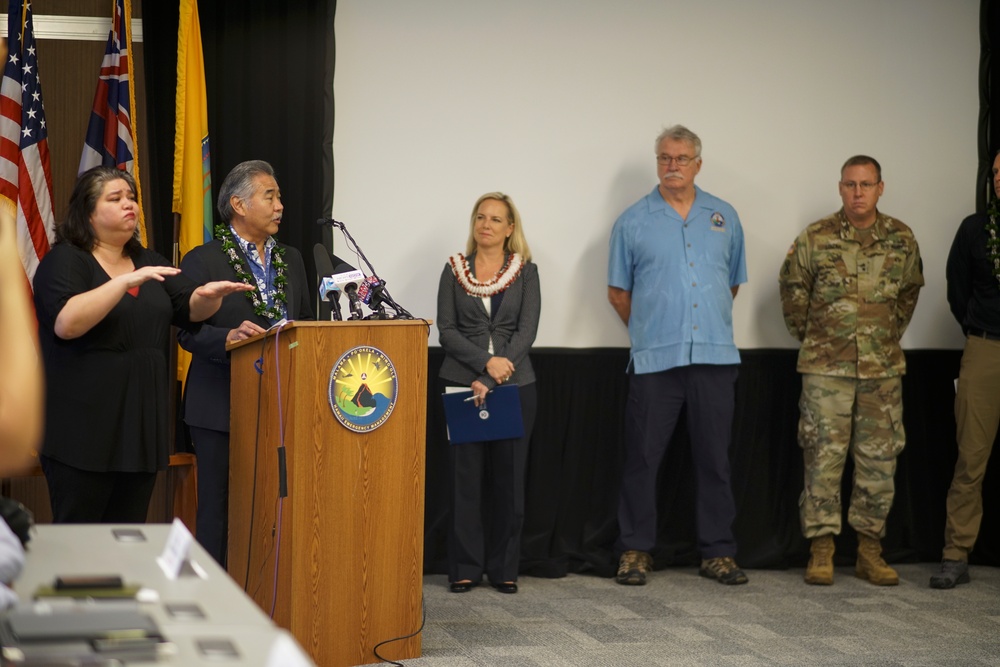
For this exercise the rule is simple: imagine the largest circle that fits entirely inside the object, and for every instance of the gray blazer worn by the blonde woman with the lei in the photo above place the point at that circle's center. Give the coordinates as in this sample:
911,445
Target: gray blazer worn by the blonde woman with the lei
466,329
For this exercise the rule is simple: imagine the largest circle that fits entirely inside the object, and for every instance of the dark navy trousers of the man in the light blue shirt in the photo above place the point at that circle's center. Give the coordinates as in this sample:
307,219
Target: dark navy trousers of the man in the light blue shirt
655,400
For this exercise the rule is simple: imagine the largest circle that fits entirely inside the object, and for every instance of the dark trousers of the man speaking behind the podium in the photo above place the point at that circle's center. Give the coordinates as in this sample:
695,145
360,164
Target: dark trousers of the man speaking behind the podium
212,527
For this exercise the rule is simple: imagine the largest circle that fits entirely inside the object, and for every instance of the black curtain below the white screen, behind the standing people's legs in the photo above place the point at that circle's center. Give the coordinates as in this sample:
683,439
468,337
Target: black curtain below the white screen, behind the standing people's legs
576,453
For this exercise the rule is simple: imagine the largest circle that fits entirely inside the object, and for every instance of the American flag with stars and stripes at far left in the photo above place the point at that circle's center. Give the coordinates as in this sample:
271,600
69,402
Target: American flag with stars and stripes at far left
25,176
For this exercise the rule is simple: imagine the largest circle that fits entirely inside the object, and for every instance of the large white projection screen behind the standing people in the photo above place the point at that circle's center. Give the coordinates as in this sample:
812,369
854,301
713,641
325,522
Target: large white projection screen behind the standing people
558,102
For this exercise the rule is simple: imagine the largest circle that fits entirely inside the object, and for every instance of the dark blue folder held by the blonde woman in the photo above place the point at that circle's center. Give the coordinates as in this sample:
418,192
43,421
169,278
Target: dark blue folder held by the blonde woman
497,418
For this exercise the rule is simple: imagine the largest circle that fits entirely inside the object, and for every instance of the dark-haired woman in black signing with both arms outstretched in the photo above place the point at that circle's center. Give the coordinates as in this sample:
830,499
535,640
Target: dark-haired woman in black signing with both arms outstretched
105,305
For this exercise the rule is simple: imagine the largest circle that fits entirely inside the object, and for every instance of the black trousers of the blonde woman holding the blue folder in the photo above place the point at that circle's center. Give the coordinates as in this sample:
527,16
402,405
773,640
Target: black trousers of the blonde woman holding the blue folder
487,502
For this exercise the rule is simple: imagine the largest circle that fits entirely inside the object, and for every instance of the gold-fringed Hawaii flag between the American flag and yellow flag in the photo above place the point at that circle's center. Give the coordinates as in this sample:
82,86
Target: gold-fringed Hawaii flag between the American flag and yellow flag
111,137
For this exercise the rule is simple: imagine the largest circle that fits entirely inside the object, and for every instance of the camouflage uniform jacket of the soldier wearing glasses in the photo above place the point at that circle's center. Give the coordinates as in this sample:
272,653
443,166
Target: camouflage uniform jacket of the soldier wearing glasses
848,299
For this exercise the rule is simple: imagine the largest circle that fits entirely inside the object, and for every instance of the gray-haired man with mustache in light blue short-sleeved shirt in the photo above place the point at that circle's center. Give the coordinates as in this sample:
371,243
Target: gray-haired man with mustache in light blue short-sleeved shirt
676,263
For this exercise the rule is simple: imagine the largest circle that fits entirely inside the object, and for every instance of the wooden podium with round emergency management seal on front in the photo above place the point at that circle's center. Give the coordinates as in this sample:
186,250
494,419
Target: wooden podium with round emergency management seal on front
339,559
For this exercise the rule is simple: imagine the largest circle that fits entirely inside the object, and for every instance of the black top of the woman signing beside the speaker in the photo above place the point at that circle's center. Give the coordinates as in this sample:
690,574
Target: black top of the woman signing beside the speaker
107,391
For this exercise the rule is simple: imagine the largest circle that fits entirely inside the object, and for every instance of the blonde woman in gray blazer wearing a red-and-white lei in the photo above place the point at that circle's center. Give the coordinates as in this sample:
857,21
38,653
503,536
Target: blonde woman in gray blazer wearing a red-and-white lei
488,308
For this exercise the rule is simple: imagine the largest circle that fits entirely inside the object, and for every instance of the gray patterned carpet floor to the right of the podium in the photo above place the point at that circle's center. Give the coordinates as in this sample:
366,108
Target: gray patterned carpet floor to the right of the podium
681,619
